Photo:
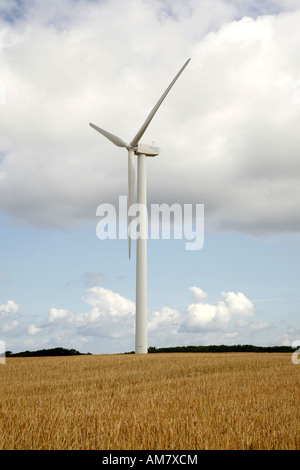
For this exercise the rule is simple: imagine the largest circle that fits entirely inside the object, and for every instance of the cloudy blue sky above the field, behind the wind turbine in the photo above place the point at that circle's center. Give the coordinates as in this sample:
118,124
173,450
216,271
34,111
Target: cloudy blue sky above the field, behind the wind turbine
229,138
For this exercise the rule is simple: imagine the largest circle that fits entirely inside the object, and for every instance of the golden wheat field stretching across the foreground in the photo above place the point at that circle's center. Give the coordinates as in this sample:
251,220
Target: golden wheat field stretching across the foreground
187,401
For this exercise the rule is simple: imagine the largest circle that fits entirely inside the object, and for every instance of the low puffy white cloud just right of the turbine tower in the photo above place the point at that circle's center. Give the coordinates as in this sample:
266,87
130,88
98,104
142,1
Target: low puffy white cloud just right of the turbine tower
225,321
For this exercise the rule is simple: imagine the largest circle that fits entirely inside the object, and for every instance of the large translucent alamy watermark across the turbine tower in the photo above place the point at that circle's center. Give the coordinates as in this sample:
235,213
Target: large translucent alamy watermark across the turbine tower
163,221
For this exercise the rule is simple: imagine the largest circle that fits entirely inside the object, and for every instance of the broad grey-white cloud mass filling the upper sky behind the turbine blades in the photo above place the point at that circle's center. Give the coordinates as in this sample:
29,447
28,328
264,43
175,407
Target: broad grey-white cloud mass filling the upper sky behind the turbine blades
234,113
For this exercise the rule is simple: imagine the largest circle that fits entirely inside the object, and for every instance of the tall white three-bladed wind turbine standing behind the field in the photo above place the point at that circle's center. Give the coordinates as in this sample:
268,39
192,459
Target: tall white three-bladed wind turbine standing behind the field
142,151
